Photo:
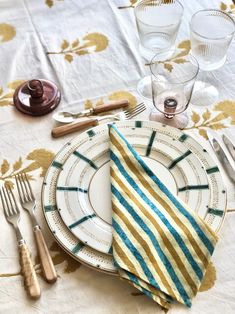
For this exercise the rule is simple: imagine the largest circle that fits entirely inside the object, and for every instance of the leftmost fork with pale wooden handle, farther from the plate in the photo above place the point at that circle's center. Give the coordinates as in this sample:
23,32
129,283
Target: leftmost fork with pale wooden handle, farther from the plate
12,214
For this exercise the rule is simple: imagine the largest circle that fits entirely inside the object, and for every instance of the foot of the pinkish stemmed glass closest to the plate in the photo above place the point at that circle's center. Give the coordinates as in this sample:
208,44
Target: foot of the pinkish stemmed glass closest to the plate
179,121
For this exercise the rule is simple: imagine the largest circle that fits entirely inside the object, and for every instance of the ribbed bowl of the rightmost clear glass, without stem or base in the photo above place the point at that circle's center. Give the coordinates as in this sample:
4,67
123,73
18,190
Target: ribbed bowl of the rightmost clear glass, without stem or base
211,34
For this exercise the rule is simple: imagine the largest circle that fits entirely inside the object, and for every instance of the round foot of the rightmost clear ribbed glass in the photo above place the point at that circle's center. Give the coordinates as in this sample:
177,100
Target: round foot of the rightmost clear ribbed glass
204,94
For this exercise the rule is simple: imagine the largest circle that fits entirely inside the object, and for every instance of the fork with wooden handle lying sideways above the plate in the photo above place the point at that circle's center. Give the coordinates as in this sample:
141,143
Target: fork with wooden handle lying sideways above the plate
76,126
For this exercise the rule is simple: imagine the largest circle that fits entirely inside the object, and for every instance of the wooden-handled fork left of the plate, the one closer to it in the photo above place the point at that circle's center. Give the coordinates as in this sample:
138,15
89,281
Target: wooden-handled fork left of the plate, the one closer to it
28,202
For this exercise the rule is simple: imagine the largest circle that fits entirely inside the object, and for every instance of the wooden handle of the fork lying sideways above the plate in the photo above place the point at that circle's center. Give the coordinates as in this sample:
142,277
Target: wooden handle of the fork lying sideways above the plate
72,127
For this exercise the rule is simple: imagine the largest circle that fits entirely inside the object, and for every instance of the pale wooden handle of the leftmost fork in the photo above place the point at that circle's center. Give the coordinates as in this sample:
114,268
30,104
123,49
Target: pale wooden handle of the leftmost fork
30,278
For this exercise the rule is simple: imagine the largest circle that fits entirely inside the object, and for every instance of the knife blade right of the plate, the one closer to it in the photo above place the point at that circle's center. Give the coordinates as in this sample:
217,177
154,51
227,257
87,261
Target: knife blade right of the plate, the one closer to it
220,154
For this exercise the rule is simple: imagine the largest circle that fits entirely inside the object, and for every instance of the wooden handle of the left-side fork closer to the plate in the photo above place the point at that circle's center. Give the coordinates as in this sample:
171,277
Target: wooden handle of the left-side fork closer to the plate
48,267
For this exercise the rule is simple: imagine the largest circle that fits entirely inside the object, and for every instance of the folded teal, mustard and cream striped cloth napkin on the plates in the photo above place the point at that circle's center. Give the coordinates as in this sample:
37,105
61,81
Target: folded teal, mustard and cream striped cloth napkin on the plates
159,245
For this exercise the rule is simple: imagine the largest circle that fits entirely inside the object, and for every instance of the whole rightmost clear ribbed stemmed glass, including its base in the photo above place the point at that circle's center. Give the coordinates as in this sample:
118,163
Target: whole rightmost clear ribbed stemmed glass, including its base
211,34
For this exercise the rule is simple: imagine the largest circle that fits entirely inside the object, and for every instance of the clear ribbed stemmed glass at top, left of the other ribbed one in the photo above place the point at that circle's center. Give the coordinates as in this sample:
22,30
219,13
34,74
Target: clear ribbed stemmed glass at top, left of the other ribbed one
158,23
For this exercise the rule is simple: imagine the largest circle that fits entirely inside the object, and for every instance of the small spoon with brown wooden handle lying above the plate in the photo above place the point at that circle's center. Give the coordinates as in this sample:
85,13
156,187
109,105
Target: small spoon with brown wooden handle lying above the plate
69,117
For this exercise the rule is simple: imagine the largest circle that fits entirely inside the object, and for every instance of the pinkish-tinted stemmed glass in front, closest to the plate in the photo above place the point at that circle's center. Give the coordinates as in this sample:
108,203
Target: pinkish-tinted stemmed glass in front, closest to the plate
172,86
